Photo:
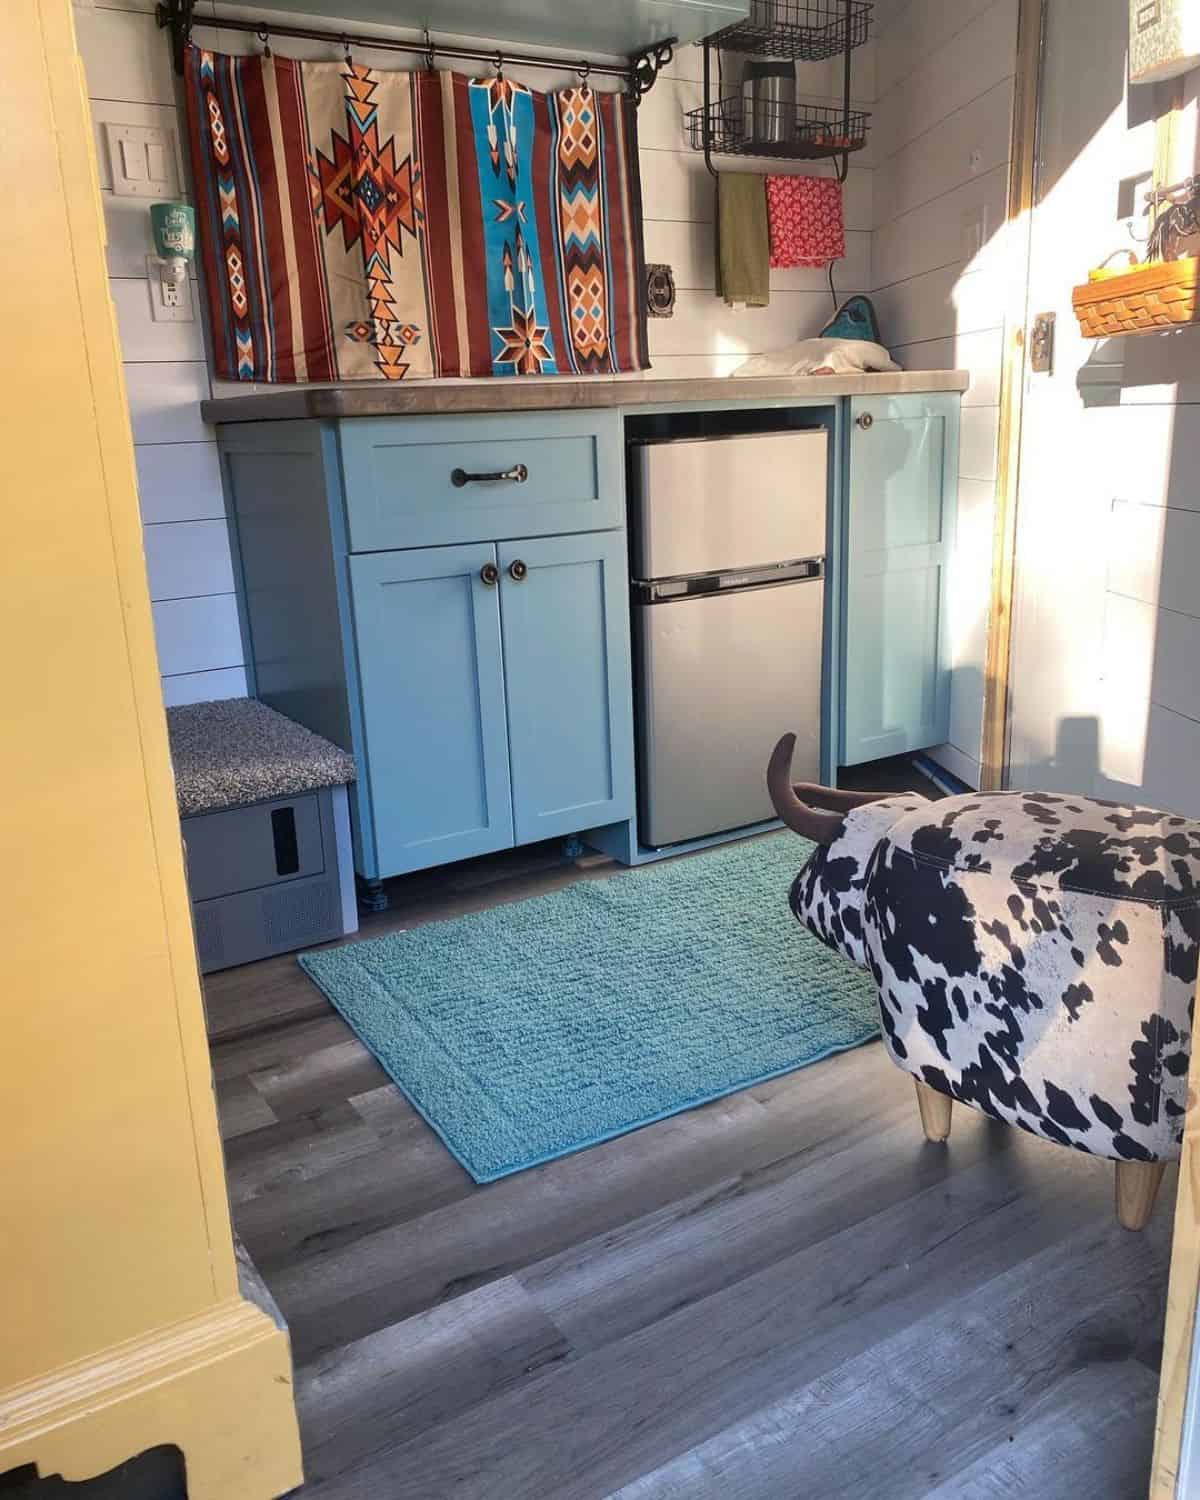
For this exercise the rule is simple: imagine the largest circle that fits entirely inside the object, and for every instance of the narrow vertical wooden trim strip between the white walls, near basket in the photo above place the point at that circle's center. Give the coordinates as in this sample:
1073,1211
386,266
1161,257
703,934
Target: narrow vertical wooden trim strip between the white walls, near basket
1022,173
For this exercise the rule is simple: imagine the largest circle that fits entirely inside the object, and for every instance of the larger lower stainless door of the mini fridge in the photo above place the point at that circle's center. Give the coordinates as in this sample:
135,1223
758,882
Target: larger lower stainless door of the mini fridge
721,680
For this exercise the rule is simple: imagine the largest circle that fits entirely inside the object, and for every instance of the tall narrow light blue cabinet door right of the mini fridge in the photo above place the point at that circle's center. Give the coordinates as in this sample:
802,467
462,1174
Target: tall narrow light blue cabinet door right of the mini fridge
899,541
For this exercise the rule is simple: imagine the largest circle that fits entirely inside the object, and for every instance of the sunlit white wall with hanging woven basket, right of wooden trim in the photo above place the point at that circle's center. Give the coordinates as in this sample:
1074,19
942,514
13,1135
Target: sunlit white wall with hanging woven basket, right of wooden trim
1106,629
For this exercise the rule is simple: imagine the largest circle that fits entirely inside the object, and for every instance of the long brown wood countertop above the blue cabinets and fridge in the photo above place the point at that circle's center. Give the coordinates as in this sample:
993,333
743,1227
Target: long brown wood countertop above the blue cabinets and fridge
560,394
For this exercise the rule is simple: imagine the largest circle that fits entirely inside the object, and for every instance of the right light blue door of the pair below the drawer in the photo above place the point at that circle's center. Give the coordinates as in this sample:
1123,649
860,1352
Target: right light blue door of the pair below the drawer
568,677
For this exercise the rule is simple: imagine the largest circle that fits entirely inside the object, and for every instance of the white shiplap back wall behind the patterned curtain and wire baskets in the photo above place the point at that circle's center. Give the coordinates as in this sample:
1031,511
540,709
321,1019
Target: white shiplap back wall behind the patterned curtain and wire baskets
167,377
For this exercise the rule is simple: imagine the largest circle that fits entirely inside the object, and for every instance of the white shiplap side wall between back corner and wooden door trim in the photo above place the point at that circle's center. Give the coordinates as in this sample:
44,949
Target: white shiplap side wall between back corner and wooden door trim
946,73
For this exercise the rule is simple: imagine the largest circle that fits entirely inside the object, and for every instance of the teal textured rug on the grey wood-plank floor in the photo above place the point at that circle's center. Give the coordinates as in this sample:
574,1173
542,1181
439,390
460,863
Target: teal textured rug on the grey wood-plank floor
536,1030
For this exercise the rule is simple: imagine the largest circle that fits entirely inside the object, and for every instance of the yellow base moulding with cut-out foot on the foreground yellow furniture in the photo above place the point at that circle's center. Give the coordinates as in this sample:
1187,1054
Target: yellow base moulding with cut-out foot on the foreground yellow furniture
217,1385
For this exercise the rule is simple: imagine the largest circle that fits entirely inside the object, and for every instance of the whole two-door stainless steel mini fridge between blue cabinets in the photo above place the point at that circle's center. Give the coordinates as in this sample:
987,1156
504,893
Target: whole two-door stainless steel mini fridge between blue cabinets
728,550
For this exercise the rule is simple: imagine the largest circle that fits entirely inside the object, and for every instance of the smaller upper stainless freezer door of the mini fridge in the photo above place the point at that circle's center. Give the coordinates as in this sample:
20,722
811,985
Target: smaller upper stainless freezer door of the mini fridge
707,506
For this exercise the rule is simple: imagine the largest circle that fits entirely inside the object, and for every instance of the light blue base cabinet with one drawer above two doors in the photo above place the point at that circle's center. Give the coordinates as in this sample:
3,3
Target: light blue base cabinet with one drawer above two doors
469,643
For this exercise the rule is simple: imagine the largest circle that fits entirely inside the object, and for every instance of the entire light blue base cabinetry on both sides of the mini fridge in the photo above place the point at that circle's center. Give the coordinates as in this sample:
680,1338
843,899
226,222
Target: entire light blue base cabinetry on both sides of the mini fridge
448,598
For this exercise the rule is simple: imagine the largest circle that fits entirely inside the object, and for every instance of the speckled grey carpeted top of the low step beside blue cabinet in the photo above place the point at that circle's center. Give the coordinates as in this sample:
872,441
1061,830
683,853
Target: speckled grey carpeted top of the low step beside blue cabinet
238,751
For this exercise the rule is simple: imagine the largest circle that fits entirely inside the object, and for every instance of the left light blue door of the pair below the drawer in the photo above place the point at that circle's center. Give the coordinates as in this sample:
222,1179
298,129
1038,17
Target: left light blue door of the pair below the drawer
431,679
